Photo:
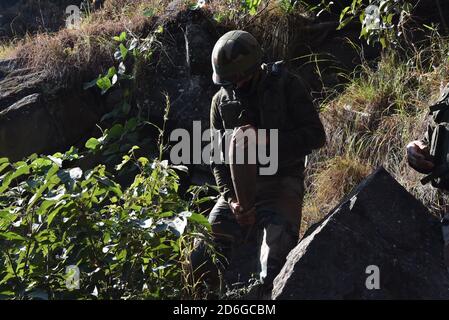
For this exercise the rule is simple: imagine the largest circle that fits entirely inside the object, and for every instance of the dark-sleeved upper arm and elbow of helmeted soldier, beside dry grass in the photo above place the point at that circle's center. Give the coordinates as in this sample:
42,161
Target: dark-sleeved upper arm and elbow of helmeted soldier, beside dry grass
308,133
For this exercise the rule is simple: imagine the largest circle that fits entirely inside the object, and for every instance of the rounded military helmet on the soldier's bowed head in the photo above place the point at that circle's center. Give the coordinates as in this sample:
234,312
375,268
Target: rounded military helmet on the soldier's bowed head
236,55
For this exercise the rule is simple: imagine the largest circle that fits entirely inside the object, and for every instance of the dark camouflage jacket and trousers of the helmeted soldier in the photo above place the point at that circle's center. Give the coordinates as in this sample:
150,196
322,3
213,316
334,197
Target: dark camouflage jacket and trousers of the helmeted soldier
275,99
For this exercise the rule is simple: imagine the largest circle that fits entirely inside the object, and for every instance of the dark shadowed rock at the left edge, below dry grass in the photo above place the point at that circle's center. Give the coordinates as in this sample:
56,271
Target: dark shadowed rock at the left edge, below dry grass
35,118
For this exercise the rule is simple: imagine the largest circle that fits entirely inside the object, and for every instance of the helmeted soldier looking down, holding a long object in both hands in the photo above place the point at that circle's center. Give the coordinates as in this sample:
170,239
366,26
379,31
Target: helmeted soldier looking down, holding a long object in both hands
257,96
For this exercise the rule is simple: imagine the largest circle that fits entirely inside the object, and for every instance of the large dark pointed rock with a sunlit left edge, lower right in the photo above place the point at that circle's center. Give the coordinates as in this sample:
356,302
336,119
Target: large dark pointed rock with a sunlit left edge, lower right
379,224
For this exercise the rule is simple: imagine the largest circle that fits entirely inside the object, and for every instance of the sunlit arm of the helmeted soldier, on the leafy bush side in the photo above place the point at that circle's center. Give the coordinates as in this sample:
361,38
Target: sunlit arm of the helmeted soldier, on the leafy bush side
221,171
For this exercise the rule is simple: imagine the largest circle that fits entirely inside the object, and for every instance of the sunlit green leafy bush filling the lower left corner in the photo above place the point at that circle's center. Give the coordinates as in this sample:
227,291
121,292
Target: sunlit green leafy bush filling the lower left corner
128,242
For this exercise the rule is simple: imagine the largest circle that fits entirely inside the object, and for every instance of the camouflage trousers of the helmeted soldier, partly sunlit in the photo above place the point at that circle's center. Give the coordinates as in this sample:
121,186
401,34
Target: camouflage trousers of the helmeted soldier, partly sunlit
278,218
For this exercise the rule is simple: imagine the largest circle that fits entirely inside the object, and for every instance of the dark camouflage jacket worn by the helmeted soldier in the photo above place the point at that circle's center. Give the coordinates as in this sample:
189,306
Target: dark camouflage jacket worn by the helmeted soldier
276,99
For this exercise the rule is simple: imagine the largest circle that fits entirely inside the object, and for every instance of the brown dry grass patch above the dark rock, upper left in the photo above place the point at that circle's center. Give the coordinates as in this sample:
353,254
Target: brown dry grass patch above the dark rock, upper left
69,56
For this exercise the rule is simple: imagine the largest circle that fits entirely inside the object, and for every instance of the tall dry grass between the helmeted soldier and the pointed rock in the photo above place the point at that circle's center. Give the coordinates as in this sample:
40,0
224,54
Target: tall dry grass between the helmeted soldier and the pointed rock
370,123
